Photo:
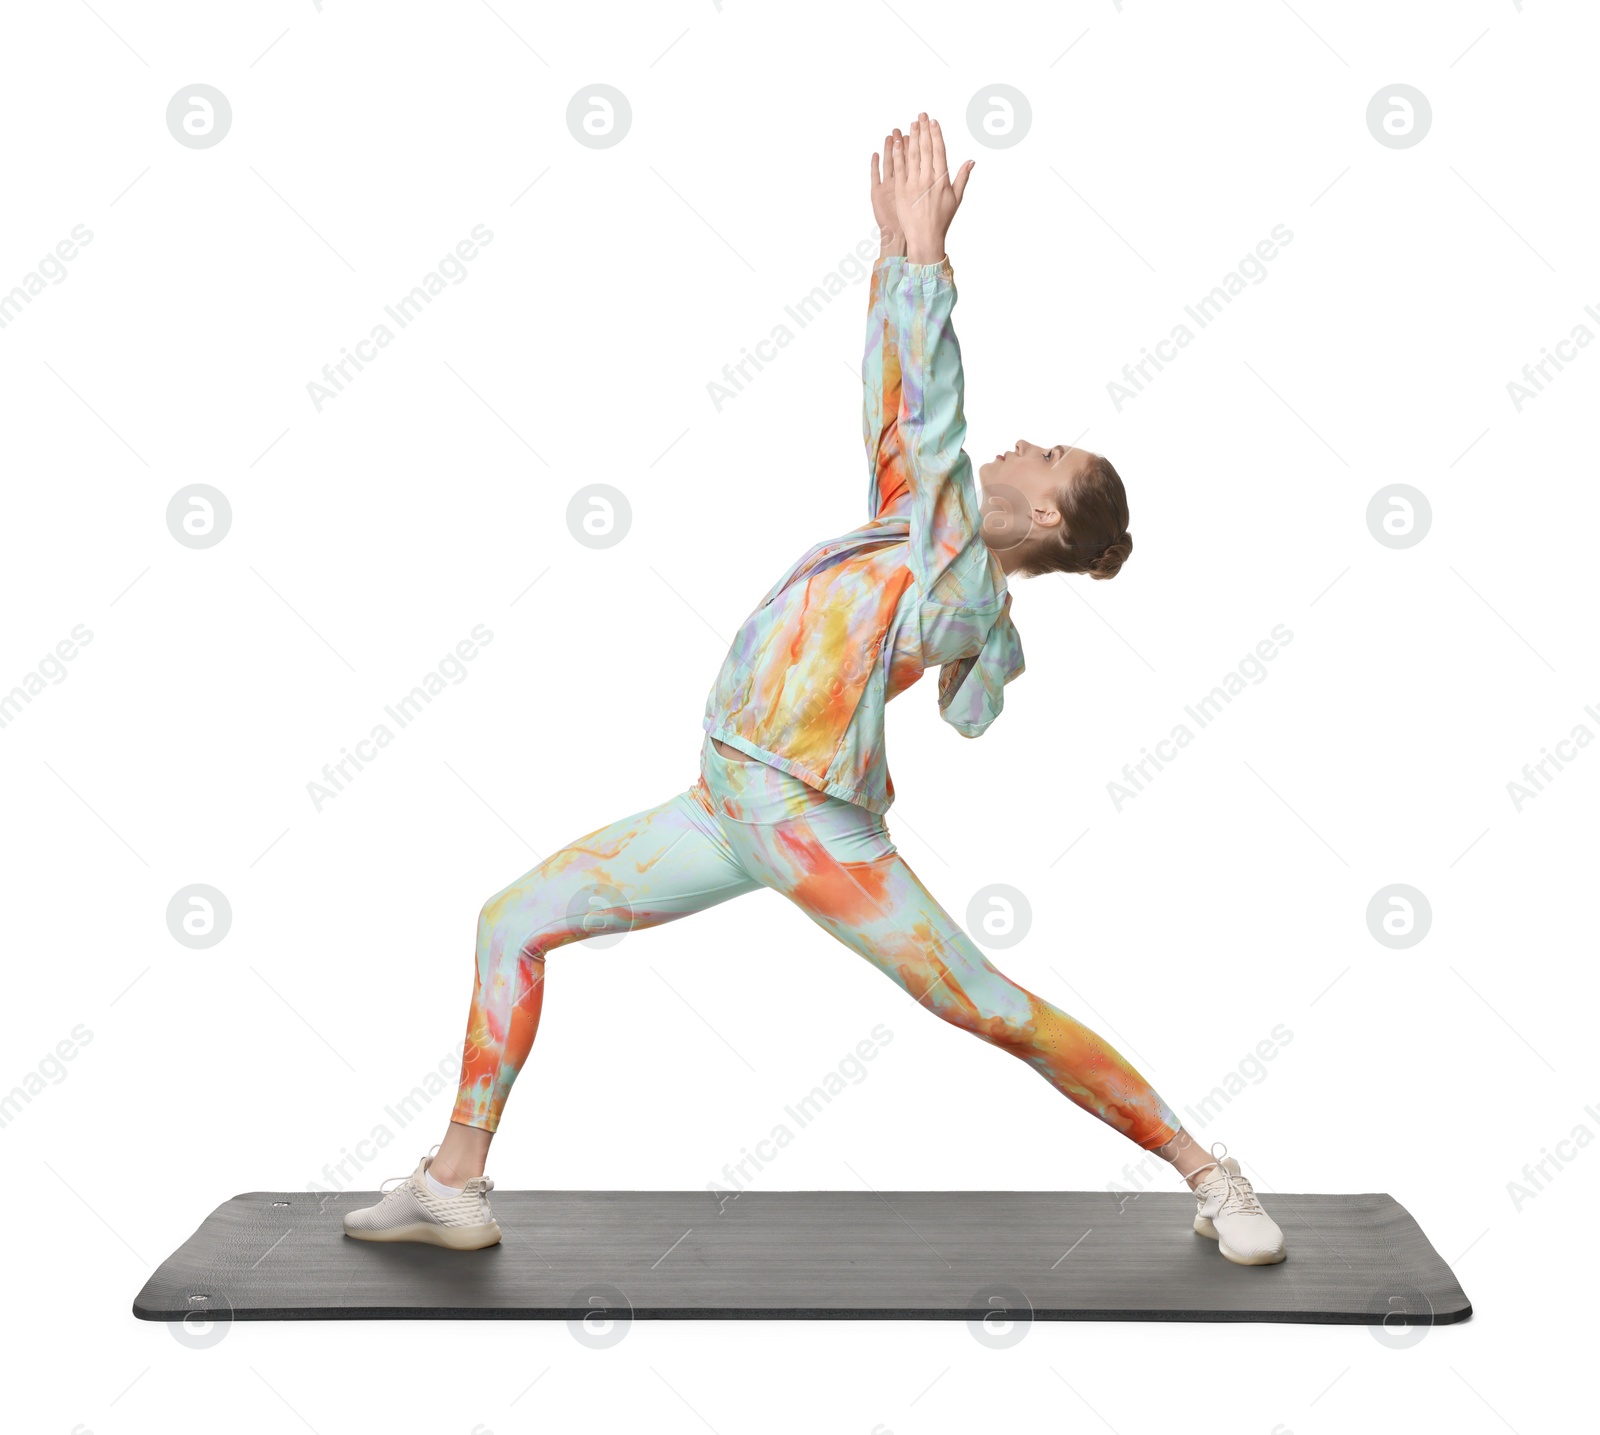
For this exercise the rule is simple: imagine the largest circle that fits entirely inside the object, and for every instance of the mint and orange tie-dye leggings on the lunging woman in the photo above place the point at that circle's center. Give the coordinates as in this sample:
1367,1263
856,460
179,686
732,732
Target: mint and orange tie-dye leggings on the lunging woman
740,828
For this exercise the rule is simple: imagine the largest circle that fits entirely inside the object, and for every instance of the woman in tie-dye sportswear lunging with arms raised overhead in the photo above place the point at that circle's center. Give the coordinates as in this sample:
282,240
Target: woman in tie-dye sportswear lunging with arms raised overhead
794,783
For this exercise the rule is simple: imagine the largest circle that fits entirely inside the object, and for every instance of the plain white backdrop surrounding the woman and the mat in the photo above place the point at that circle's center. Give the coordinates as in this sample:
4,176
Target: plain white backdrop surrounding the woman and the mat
370,538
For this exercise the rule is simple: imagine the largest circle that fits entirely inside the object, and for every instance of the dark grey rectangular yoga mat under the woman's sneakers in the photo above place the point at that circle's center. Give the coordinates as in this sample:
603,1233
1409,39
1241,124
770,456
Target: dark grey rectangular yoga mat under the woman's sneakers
810,1255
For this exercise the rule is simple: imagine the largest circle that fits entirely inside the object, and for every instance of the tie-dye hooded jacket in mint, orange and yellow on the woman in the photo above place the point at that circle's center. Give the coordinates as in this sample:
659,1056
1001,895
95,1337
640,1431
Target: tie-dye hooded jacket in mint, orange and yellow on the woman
860,618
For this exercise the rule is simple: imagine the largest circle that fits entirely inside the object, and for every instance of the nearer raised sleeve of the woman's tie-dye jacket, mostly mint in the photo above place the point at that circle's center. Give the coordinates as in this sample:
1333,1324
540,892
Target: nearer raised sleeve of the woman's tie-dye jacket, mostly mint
948,553
